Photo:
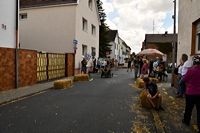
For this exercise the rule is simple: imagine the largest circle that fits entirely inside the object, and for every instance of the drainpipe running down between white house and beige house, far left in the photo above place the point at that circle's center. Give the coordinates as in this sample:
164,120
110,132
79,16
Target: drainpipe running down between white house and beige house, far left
16,48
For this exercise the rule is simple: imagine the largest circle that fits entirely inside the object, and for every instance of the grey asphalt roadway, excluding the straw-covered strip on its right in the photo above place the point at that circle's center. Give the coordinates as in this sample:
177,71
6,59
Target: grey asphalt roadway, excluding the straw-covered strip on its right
101,105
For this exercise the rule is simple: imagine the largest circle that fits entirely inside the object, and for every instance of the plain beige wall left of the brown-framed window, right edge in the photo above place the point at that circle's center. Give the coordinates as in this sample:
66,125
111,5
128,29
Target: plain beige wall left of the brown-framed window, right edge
189,11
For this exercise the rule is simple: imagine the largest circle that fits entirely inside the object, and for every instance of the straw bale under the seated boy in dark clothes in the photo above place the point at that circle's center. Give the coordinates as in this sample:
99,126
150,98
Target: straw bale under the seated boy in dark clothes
144,101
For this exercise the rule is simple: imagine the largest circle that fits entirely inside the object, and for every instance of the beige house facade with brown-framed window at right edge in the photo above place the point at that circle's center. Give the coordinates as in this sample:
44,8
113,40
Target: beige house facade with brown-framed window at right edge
188,28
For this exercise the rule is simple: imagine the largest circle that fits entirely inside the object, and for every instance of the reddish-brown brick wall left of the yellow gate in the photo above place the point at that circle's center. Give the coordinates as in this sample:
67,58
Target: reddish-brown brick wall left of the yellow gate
27,71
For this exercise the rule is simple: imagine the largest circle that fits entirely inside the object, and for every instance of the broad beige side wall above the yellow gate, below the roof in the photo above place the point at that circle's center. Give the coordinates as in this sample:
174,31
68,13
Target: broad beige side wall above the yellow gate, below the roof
50,29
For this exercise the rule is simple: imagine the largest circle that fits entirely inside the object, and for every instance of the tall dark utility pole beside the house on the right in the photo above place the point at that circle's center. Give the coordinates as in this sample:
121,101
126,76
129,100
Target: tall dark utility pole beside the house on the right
173,45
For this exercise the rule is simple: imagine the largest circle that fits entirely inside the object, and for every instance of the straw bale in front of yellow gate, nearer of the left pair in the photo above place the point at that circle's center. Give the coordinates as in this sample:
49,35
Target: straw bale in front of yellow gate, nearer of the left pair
62,84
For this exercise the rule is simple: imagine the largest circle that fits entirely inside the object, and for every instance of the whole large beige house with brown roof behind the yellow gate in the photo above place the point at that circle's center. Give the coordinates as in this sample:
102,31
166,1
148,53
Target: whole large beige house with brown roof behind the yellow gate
70,26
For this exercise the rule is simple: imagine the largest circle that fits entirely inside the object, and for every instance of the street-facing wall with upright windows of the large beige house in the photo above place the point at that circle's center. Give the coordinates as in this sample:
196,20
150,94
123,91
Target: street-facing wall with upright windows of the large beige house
86,37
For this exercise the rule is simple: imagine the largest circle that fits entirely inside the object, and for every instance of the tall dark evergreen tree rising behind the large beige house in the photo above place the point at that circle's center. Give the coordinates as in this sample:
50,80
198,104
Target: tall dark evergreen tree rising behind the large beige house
104,41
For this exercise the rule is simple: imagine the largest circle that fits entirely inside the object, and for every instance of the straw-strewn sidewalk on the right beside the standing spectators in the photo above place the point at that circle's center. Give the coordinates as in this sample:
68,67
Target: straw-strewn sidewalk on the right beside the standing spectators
171,118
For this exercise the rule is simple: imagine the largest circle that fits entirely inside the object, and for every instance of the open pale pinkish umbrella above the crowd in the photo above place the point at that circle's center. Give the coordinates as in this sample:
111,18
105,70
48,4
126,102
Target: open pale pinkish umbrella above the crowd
150,52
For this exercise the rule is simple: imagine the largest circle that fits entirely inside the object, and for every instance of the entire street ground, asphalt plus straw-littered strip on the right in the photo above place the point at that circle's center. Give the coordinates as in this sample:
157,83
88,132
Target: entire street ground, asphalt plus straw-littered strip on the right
103,105
